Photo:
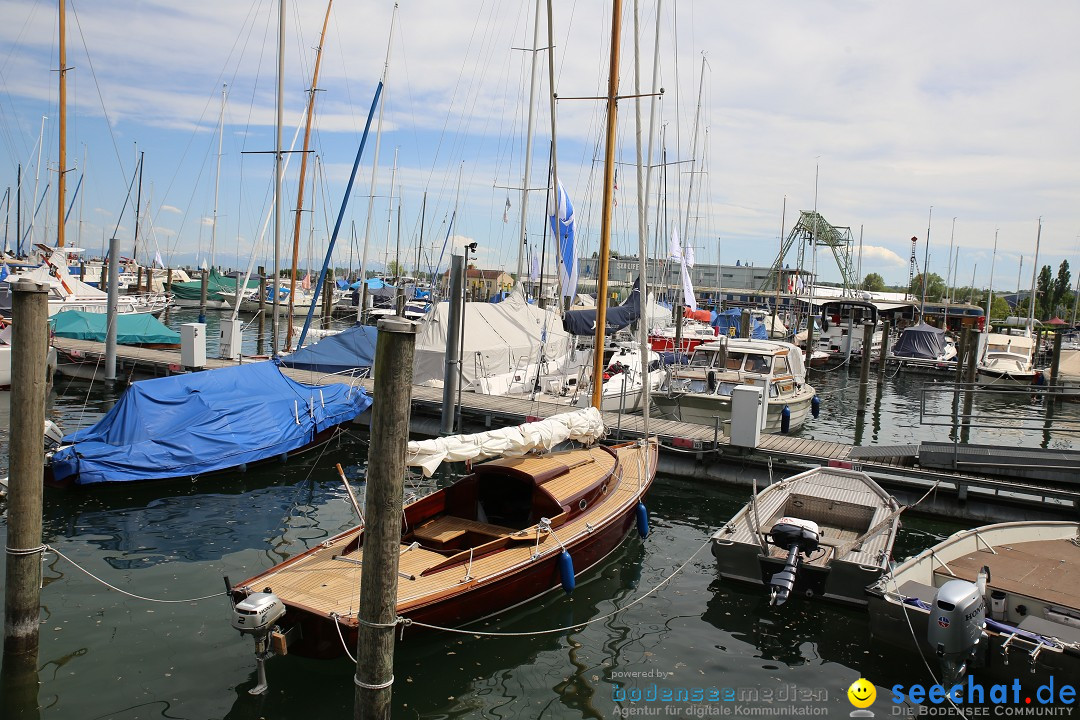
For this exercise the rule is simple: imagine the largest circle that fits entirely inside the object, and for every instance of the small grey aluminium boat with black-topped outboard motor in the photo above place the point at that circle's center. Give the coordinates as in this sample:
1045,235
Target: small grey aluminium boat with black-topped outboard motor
827,533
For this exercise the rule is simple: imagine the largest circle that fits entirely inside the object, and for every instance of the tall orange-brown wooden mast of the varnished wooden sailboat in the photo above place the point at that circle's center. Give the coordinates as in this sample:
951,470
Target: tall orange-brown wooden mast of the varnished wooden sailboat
602,279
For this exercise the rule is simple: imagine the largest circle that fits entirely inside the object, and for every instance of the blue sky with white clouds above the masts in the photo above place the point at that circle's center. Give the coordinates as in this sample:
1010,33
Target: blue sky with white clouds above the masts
970,108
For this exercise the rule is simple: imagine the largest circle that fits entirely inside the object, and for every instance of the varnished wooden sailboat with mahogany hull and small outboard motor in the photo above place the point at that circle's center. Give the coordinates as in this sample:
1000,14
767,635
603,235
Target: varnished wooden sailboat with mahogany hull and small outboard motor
512,531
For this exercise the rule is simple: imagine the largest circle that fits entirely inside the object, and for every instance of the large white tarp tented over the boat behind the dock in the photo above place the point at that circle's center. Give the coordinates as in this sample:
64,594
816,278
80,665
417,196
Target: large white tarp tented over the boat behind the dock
498,338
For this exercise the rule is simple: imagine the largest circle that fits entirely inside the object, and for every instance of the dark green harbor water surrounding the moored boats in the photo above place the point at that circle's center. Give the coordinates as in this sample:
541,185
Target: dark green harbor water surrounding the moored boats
124,635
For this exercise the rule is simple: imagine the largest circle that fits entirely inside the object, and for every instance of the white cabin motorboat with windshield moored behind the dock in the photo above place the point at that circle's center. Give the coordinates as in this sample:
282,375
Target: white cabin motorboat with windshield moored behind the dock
701,392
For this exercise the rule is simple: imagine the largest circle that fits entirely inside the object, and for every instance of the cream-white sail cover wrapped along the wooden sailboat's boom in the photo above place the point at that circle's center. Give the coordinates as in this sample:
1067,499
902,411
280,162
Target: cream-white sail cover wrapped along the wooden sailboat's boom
585,426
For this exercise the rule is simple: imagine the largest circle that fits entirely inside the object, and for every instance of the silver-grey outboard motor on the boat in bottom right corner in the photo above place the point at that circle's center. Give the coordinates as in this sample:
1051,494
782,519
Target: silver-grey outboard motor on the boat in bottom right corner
956,628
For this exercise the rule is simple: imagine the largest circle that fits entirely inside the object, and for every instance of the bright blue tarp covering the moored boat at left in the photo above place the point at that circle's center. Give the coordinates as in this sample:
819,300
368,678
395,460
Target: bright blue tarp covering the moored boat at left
188,425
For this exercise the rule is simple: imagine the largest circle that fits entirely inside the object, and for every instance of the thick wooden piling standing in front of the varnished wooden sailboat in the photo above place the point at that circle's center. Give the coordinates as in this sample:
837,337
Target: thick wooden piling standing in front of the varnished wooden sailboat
386,466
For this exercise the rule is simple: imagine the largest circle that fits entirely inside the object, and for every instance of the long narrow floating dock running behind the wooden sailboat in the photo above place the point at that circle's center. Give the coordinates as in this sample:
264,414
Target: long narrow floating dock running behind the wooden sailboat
690,450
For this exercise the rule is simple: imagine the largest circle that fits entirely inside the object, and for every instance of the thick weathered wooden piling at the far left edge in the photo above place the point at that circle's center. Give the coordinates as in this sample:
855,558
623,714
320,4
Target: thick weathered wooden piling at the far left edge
23,570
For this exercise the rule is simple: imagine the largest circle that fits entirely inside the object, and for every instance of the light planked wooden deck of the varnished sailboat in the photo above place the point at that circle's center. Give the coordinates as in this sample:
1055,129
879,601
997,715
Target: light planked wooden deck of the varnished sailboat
434,564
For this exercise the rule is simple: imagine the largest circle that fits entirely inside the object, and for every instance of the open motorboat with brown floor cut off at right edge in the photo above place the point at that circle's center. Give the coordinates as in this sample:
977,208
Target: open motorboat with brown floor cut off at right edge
985,599
